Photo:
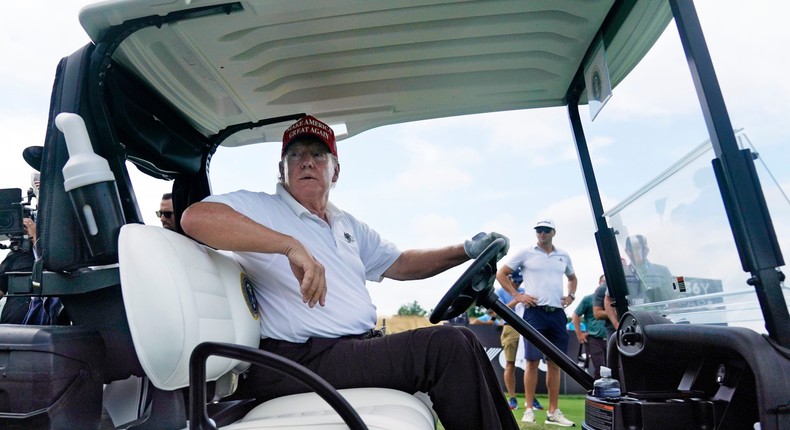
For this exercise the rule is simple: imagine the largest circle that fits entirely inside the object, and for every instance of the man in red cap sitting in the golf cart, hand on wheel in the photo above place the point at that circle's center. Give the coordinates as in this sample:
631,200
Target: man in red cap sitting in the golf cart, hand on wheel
309,261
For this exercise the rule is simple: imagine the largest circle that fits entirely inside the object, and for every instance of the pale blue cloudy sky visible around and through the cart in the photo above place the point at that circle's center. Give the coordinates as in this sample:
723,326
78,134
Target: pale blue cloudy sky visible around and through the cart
435,183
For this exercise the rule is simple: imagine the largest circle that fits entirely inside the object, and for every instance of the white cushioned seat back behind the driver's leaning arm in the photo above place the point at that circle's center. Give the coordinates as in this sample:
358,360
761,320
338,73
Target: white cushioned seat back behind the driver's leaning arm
177,294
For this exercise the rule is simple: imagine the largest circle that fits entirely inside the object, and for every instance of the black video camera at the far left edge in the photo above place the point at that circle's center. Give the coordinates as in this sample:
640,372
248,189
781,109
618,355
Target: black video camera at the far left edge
13,209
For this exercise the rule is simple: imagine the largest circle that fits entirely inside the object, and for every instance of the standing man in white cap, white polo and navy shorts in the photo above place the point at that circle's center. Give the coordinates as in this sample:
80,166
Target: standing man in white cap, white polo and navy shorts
542,267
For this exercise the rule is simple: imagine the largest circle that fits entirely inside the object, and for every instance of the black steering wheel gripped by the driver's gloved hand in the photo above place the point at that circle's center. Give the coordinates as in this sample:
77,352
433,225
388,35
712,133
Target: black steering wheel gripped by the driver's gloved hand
470,285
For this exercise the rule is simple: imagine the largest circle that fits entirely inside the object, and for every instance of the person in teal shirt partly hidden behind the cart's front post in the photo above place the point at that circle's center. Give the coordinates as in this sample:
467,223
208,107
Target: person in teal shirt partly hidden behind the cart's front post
594,339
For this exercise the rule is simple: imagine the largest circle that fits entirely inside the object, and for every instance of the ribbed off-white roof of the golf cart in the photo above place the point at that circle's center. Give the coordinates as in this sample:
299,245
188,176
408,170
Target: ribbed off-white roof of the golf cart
231,65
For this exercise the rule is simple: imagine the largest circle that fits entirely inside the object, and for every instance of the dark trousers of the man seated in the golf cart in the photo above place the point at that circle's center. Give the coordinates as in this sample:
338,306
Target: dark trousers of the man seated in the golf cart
448,363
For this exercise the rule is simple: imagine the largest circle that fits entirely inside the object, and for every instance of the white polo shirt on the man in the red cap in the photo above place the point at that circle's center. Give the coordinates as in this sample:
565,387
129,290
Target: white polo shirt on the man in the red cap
350,251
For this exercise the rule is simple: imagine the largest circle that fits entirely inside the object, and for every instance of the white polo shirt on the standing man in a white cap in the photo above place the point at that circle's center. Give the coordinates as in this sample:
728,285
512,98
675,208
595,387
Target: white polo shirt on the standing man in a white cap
543,273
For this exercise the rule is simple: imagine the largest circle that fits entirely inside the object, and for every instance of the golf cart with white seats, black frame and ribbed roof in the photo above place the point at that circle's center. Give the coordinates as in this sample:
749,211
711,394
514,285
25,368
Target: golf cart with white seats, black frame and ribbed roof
167,86
